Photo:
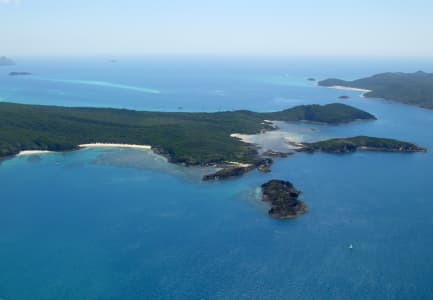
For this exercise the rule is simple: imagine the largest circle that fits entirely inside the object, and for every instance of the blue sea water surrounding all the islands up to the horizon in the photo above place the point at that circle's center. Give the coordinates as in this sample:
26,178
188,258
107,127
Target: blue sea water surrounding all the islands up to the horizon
124,224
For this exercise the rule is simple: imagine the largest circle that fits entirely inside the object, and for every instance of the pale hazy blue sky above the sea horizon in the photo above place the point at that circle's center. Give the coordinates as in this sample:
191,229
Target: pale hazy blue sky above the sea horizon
278,27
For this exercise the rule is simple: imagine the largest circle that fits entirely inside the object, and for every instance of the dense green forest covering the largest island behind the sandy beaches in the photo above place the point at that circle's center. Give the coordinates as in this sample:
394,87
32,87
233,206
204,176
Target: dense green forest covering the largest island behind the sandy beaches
190,138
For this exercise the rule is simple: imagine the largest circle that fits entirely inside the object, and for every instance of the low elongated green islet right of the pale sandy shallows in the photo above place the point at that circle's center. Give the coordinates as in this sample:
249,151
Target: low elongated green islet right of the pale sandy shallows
365,143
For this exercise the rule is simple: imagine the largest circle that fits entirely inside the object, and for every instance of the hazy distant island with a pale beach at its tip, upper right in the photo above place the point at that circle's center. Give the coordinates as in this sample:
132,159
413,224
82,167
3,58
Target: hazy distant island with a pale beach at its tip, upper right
409,88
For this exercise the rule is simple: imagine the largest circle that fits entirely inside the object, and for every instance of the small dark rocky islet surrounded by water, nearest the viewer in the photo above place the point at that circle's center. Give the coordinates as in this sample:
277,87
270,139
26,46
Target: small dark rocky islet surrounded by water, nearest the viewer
283,197
